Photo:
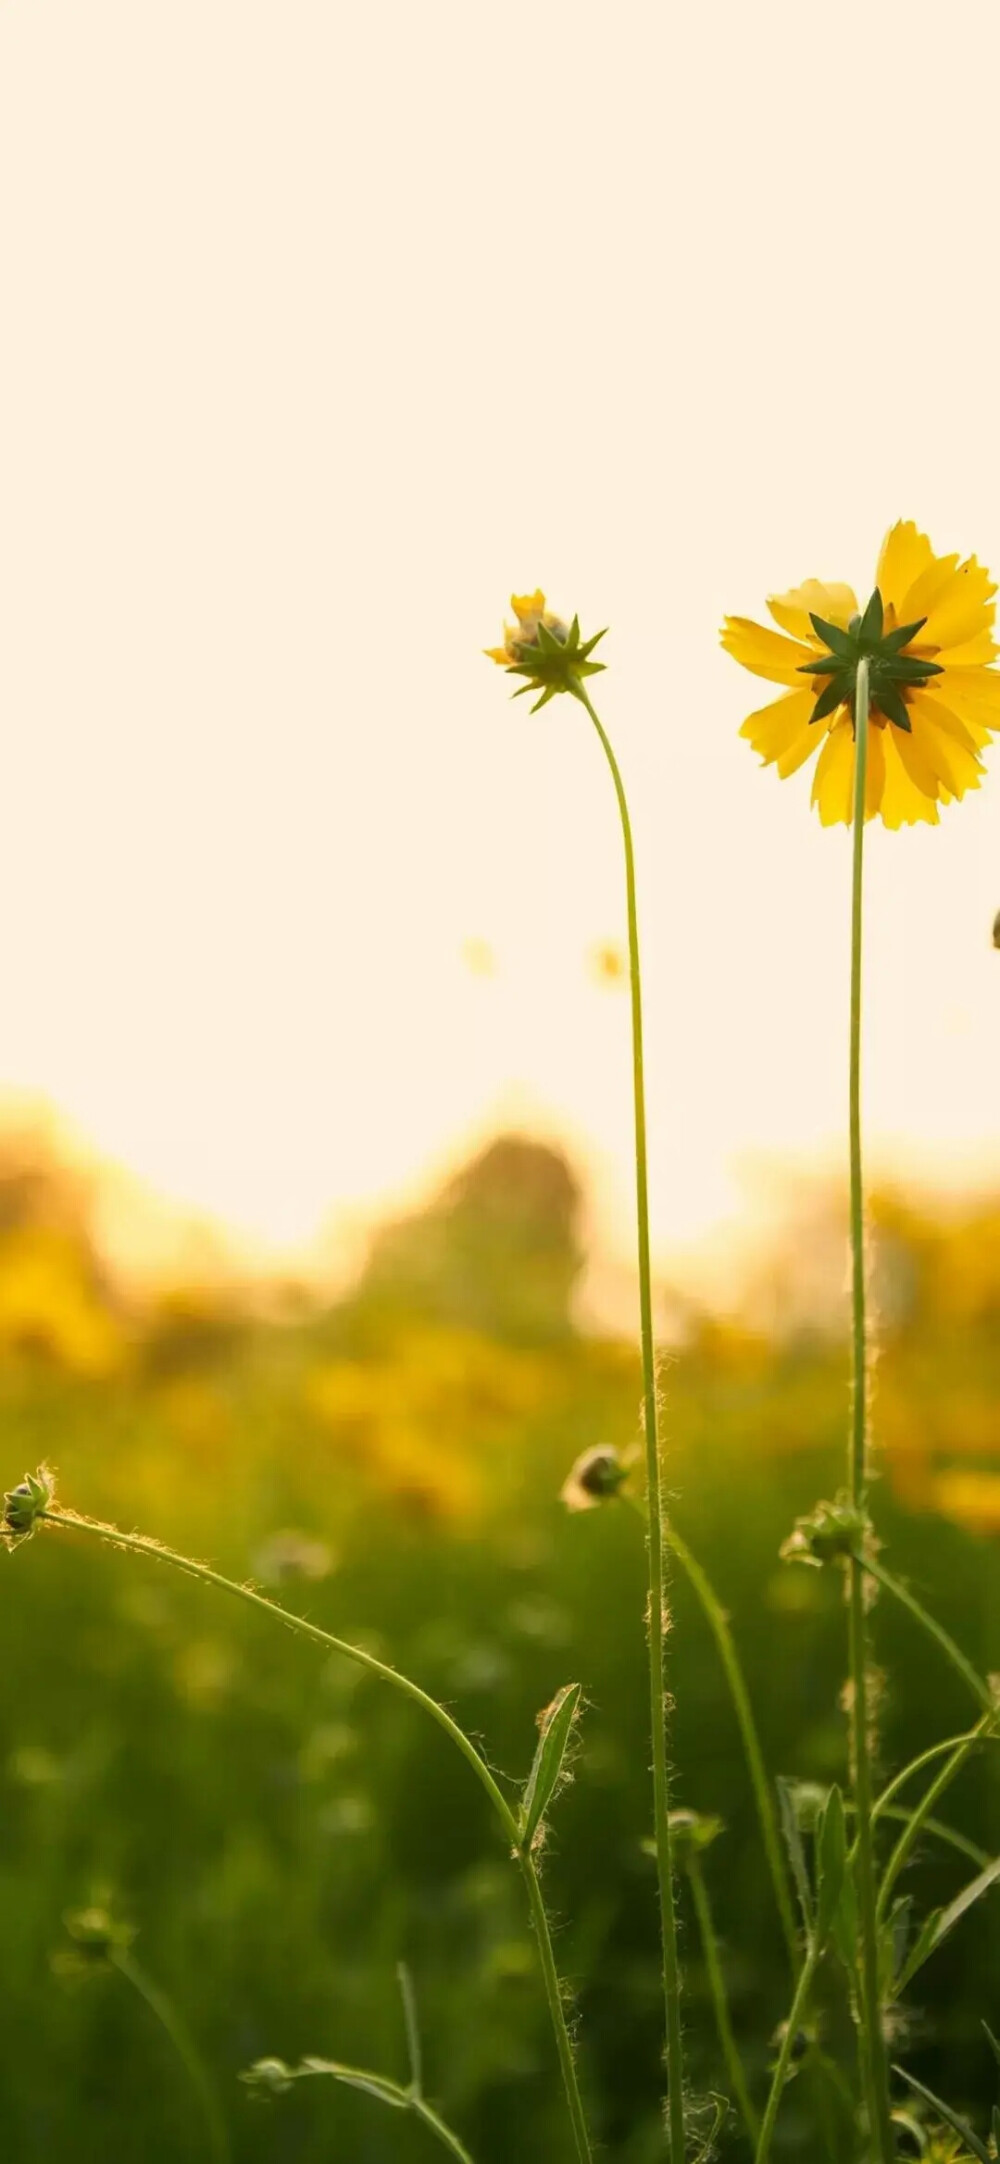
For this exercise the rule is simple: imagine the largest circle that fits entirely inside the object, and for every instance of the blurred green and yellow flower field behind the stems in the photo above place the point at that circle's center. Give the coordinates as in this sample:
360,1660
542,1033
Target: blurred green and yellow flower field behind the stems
282,1832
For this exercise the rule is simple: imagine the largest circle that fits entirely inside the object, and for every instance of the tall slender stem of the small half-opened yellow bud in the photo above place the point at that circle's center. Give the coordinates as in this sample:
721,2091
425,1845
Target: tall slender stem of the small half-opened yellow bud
657,1622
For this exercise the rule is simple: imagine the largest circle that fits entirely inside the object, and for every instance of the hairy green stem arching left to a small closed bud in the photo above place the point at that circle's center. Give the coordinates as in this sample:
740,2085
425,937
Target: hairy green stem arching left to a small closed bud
142,1546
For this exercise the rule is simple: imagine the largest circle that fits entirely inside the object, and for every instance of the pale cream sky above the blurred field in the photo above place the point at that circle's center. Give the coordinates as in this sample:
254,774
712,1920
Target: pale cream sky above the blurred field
324,330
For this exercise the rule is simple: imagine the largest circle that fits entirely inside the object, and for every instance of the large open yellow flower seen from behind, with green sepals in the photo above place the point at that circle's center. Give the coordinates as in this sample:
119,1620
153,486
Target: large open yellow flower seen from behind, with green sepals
934,696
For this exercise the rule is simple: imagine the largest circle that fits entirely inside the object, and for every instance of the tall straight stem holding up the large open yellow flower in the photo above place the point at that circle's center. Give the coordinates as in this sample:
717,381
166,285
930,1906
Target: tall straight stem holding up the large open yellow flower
858,1479
